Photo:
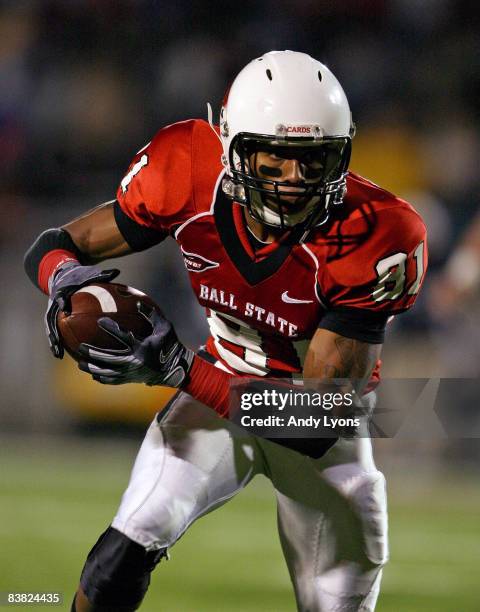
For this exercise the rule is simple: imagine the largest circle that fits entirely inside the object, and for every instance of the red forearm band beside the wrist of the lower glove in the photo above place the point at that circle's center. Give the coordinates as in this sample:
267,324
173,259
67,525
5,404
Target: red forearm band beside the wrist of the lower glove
209,385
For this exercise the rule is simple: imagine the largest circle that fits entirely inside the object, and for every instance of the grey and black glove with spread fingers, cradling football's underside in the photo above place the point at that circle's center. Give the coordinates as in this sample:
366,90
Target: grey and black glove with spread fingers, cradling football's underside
158,359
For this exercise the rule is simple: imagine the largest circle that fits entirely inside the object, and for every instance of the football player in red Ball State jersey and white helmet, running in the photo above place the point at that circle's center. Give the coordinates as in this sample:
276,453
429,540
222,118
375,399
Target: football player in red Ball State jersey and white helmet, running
299,264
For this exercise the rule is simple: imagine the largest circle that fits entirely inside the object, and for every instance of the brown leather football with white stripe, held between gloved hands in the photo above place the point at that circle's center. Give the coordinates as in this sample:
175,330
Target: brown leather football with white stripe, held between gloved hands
87,305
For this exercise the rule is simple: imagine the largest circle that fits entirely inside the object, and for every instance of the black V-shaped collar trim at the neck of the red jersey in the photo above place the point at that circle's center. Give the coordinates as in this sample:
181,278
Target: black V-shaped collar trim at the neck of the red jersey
253,272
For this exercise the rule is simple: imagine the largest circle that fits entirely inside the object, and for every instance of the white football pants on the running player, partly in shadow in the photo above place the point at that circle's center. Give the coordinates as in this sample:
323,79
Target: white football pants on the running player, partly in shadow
332,515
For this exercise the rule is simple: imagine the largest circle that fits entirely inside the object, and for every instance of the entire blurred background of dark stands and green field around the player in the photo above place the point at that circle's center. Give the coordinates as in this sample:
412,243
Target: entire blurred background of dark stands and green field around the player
83,86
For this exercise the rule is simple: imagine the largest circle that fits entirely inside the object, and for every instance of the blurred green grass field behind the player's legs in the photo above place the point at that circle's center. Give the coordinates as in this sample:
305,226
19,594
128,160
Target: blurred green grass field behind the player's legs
56,497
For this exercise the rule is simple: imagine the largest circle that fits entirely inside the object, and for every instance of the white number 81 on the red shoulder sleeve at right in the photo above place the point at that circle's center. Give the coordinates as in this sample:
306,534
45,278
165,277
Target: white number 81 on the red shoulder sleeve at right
391,275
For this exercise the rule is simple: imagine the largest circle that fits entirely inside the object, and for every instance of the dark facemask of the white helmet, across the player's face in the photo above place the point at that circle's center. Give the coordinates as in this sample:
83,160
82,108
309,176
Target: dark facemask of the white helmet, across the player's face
256,177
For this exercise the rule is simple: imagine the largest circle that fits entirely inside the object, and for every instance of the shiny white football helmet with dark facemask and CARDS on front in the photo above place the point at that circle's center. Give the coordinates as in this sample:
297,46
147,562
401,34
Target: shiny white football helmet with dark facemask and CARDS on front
287,104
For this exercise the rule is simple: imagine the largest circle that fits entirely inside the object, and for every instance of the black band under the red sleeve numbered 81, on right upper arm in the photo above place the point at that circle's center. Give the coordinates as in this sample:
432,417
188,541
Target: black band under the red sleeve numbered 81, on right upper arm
359,324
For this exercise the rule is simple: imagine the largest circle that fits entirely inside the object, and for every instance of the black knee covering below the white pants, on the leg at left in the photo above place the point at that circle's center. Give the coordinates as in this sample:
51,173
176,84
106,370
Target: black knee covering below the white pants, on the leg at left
117,571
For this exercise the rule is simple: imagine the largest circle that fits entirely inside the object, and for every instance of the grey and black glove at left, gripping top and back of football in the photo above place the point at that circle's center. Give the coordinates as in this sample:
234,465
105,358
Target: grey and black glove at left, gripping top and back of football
68,279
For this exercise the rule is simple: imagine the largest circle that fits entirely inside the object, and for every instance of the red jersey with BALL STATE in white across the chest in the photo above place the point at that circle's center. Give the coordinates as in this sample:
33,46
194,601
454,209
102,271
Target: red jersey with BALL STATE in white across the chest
263,308
